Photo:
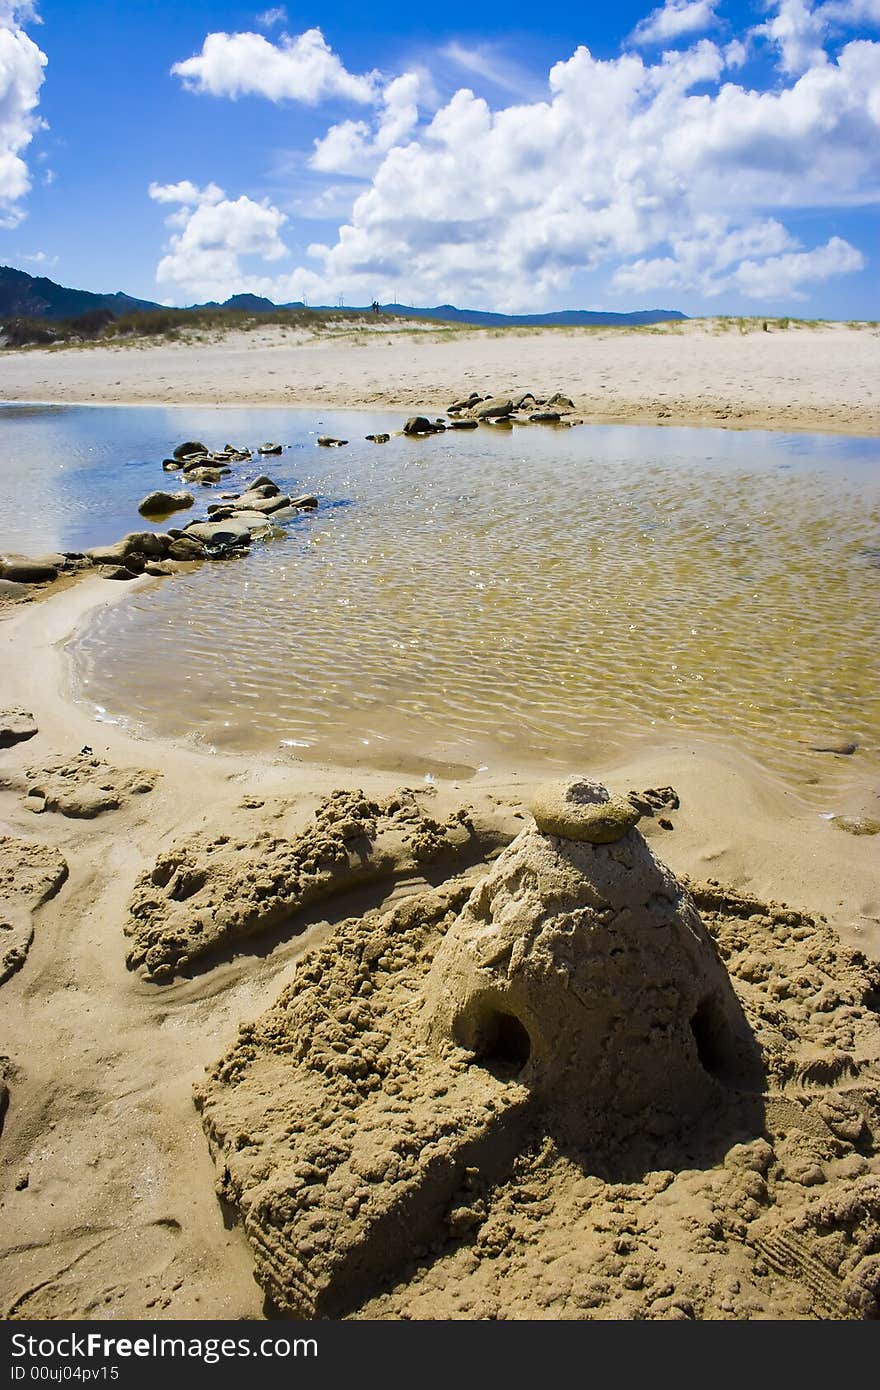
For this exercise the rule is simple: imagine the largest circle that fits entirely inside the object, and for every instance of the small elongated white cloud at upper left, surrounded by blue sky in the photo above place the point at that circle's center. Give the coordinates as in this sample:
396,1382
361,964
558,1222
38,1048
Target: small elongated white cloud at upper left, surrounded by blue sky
300,70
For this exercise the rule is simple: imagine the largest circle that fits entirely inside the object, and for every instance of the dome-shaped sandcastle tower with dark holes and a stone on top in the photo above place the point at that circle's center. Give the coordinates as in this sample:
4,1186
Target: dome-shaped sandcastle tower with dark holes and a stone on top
582,968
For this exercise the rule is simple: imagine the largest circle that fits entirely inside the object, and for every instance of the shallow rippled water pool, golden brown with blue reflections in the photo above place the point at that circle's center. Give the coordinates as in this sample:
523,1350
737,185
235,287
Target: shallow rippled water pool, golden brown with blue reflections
507,593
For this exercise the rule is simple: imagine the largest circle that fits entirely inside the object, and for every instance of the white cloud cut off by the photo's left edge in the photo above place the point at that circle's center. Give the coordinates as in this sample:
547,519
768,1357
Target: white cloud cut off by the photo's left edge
22,77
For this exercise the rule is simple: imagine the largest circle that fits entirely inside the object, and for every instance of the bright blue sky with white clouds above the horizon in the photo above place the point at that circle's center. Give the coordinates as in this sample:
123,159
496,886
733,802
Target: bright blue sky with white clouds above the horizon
700,155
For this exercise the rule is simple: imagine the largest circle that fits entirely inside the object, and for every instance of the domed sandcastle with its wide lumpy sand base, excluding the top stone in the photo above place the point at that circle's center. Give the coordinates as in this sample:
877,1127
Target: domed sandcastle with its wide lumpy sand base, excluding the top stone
554,1090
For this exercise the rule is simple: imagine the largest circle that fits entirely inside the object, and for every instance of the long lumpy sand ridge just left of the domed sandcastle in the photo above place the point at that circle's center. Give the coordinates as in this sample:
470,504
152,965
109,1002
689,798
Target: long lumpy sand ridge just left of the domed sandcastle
212,892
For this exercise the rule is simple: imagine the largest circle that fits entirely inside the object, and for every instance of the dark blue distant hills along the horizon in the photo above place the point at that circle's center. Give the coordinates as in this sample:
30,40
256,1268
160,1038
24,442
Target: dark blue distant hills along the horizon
34,297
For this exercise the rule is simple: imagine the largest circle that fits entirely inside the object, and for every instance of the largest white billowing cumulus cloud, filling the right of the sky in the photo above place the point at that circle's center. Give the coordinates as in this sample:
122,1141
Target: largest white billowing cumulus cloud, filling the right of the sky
504,208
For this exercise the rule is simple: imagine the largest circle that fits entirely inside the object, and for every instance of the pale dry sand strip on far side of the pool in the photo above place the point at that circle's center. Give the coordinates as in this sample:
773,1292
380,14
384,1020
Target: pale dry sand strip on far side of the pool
706,372
